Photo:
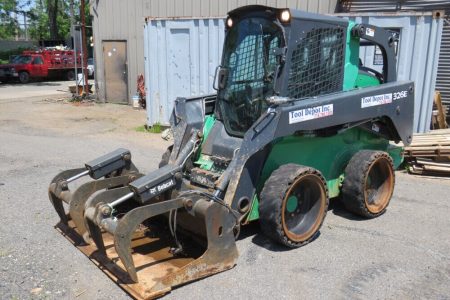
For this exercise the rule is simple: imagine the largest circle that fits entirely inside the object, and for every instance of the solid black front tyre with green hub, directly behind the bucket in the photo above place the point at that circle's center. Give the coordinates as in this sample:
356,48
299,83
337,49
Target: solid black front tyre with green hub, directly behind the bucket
293,205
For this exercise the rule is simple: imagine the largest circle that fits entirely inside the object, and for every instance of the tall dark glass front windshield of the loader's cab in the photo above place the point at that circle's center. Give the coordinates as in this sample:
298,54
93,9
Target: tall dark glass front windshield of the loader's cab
248,70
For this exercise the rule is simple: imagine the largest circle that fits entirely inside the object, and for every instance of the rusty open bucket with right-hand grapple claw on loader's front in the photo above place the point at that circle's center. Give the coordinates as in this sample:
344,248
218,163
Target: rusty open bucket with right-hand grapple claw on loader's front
145,258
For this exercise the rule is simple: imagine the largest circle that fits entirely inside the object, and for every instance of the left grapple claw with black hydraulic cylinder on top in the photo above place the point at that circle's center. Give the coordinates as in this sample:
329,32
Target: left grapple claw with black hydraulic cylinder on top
115,169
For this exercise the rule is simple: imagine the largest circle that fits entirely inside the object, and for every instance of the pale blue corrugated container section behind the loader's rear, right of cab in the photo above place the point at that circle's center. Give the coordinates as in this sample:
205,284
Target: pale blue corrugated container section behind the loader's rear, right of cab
417,54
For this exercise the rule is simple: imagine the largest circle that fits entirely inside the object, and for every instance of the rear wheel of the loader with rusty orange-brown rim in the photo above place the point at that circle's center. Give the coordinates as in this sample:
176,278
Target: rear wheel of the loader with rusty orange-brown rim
369,183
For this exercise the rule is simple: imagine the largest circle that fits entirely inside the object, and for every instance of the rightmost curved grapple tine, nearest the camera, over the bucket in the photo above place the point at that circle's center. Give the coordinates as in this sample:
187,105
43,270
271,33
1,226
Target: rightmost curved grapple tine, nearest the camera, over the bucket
128,224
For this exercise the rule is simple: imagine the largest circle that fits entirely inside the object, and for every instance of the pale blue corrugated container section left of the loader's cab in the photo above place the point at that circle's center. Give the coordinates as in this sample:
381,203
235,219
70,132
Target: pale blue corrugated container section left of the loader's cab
181,57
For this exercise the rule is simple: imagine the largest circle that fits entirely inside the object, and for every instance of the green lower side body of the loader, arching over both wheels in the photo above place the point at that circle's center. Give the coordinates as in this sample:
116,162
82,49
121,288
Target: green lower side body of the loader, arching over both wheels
329,155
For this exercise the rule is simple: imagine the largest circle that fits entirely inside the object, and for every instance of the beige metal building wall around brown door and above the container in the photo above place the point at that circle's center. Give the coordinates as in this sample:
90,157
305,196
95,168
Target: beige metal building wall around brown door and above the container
124,20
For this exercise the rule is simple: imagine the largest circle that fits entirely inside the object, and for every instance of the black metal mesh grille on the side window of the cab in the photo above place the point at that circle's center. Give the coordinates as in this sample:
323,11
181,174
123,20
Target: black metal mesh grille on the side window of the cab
317,63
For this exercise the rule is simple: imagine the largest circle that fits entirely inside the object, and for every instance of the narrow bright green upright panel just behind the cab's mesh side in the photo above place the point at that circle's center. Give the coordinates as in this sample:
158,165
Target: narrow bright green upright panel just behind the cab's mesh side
351,59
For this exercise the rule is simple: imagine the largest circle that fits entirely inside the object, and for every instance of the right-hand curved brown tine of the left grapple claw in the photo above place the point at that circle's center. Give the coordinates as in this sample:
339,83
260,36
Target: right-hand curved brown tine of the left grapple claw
82,194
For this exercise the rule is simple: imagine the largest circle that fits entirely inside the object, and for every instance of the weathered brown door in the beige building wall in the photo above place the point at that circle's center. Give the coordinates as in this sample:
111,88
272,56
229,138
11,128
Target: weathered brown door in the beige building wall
116,74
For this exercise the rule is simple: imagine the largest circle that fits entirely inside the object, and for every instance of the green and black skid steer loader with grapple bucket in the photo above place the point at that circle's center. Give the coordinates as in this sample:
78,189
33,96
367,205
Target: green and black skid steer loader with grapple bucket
296,120
